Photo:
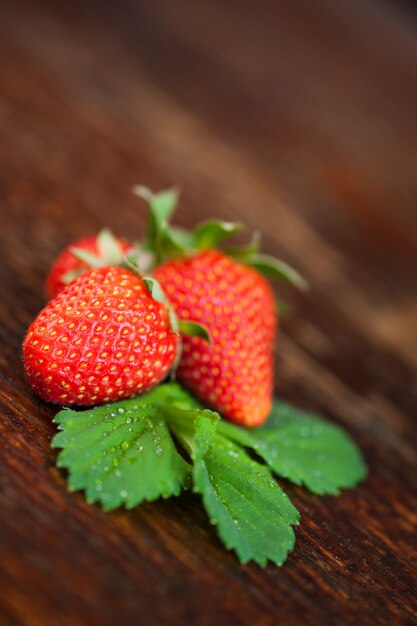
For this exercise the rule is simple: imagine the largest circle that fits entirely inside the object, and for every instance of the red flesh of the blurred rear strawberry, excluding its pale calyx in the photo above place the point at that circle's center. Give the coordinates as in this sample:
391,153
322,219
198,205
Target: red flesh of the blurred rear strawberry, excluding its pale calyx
67,263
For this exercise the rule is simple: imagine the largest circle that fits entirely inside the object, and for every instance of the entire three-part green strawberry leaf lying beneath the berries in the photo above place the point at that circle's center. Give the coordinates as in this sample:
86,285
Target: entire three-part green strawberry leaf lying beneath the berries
123,454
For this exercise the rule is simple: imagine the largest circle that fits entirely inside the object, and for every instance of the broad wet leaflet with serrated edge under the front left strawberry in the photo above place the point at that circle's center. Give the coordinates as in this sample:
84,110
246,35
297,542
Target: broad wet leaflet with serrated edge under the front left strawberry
121,453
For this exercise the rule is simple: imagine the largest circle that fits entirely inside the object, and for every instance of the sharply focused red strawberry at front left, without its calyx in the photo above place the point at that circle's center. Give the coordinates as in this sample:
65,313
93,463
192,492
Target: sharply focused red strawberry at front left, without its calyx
102,338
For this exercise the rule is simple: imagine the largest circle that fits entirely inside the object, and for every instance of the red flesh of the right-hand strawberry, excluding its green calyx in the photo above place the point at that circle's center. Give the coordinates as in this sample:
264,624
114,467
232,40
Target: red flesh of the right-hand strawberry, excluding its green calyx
233,375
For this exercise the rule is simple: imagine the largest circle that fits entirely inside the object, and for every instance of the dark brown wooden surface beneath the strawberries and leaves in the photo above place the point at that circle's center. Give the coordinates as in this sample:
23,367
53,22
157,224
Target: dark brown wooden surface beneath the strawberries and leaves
295,117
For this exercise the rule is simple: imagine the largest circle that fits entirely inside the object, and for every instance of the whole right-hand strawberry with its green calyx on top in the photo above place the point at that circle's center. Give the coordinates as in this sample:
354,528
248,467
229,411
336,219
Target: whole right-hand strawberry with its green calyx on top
230,297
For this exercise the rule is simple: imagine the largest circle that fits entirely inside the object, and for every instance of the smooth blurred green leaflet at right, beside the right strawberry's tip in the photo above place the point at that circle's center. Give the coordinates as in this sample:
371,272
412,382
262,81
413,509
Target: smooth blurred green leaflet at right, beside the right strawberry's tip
304,449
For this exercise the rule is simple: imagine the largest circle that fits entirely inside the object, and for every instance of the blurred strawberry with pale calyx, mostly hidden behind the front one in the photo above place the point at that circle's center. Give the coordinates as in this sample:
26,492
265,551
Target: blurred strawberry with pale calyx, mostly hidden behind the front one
95,251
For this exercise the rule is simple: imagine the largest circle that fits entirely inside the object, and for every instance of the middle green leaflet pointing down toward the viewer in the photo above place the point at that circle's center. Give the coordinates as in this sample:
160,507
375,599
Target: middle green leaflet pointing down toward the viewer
252,513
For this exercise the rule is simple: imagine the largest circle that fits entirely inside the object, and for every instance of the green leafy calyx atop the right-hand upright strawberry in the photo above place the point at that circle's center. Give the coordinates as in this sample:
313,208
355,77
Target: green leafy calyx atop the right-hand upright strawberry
165,242
